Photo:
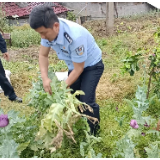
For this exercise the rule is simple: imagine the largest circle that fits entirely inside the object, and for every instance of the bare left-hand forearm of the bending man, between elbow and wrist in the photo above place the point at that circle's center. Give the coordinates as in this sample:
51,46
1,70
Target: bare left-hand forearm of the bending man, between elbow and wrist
43,65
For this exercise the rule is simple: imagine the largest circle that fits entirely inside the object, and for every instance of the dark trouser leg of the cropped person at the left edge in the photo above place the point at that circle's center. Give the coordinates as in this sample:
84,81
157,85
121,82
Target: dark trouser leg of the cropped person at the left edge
5,85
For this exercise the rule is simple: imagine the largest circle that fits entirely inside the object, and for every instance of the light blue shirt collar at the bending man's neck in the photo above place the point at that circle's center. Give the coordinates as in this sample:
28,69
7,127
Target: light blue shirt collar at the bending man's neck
60,37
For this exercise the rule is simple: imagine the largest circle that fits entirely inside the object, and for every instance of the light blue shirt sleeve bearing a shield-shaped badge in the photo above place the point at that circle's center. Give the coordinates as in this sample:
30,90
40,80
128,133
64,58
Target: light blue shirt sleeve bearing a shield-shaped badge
79,50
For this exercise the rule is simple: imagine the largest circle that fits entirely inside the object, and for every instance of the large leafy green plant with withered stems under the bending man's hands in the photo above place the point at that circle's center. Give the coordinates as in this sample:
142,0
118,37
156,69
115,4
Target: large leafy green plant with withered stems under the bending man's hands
58,114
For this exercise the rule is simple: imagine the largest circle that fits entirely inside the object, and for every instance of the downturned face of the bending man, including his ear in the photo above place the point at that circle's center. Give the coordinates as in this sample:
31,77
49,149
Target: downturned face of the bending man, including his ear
49,33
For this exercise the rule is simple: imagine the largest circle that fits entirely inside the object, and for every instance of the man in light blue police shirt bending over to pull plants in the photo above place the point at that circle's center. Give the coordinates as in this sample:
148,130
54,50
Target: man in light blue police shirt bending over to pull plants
76,46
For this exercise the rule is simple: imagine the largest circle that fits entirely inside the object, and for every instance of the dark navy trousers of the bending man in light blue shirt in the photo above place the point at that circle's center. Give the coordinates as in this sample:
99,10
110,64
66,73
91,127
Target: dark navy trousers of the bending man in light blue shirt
87,82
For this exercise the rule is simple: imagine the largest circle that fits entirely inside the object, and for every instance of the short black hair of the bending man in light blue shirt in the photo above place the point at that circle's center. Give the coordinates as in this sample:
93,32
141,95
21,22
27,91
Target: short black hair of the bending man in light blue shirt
42,15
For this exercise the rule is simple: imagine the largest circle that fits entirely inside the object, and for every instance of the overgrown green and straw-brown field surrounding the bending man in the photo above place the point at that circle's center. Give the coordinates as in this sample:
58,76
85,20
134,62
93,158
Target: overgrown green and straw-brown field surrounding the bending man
118,94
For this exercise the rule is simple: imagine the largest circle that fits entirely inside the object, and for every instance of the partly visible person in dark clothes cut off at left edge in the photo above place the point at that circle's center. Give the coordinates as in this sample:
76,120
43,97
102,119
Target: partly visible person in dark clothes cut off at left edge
4,83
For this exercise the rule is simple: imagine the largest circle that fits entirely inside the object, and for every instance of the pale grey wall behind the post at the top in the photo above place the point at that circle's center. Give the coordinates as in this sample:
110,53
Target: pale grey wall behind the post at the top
97,10
